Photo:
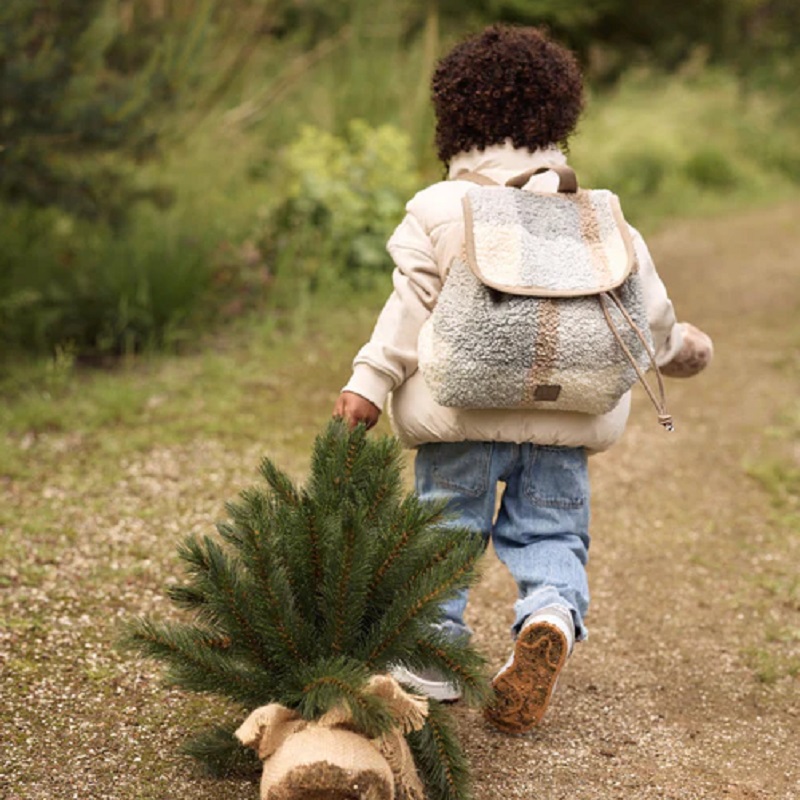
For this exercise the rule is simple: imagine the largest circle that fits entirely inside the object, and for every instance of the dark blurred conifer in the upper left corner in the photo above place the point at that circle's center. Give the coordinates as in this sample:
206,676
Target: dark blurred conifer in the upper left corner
82,100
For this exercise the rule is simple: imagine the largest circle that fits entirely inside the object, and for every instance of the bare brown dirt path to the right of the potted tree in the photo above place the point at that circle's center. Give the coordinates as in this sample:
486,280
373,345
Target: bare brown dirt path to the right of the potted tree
658,702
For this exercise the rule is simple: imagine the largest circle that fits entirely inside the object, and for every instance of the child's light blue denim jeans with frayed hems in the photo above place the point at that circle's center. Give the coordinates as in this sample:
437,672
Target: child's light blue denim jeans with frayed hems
541,531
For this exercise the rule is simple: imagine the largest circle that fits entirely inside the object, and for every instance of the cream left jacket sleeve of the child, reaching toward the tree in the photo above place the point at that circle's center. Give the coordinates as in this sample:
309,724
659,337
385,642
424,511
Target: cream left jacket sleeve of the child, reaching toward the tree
390,356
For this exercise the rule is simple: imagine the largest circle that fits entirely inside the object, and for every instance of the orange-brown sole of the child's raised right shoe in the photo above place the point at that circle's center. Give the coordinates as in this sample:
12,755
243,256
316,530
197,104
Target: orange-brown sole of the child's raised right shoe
523,690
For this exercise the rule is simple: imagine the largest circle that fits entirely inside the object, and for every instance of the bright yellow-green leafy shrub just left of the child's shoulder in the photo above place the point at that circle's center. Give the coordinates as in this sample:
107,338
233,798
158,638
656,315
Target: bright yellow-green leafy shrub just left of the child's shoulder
339,198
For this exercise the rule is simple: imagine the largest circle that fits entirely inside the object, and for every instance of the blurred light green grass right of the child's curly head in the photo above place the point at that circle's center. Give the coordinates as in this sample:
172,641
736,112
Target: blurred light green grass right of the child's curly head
686,145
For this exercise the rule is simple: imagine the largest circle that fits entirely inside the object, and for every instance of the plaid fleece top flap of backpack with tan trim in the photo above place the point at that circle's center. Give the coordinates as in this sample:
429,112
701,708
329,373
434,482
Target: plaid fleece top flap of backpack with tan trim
547,245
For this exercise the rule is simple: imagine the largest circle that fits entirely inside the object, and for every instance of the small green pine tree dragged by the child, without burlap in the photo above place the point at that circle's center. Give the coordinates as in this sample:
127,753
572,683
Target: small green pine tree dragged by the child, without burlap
307,592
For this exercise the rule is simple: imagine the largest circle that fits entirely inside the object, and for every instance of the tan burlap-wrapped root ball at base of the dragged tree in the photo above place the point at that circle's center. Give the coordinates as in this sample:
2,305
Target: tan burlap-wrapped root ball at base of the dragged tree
328,760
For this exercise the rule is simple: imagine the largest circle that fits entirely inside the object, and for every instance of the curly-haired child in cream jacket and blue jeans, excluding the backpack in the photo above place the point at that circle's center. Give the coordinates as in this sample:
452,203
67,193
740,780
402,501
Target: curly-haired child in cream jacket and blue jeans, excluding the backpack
505,100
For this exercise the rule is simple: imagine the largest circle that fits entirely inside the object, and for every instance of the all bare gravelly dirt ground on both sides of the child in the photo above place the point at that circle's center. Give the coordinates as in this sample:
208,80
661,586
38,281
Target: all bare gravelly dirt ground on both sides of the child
661,702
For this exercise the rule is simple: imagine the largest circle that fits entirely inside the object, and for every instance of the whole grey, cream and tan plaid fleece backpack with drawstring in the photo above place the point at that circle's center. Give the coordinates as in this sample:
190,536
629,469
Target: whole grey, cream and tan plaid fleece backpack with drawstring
545,308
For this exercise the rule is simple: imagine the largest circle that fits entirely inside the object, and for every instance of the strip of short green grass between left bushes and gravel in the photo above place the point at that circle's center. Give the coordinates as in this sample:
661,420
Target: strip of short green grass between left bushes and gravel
229,386
